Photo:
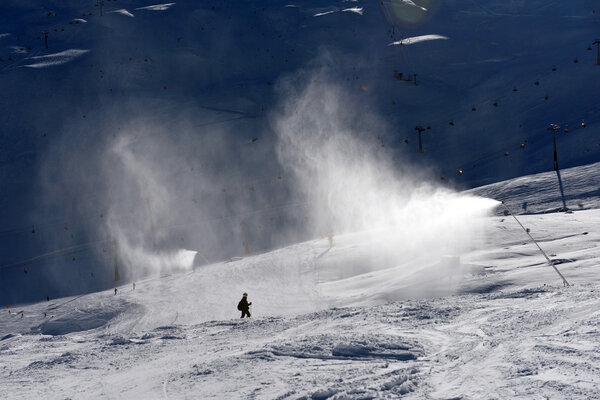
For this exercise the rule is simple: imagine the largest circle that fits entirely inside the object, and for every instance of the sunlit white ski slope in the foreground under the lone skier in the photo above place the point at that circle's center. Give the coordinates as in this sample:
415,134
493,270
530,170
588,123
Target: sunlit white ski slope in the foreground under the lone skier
330,323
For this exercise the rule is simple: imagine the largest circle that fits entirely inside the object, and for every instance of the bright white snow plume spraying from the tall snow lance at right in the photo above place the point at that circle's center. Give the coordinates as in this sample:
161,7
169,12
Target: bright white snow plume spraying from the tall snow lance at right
330,145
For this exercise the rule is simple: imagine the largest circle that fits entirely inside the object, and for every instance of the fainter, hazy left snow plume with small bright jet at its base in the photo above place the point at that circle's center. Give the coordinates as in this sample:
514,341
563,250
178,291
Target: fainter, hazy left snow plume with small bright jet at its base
147,193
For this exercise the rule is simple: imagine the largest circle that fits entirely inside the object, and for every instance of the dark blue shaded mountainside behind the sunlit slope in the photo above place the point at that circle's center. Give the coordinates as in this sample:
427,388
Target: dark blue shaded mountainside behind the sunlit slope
161,126
